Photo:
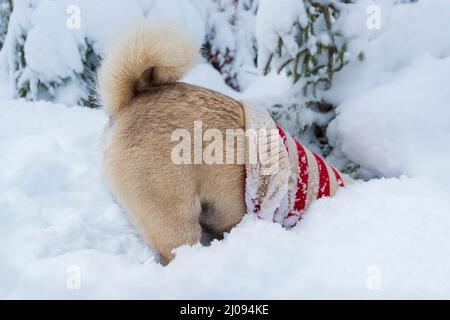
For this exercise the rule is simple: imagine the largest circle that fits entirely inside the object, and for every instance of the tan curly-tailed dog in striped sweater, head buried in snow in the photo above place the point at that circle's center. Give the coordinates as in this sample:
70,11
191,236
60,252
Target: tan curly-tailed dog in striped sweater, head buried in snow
173,204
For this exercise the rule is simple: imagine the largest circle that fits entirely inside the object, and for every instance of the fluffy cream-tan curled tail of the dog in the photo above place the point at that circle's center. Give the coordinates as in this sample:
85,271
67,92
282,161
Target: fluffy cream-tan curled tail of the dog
144,56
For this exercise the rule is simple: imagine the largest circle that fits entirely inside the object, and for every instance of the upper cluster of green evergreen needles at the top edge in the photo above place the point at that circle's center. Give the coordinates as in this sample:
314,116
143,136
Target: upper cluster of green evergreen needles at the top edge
322,50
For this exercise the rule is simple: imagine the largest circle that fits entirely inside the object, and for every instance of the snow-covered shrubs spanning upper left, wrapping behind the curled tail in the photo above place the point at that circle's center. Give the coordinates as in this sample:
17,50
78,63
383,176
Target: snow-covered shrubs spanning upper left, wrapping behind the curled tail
51,56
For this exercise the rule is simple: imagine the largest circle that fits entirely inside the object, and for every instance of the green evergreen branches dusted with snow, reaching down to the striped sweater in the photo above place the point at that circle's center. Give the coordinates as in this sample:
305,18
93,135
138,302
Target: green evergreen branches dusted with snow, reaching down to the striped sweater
311,54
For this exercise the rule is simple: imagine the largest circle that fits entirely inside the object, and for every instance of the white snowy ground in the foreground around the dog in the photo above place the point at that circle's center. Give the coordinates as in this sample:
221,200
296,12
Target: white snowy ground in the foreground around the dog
385,238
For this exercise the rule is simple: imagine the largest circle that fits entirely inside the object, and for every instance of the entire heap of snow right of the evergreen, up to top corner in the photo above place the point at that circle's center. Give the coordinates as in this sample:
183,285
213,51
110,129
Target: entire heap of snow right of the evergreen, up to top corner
393,110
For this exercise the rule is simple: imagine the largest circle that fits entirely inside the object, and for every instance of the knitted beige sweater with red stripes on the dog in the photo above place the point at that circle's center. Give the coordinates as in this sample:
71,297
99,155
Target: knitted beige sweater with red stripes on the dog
283,188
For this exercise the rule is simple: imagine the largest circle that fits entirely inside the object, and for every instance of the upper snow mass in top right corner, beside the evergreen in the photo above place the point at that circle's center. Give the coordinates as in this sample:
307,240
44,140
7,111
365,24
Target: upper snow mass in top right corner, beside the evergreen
407,33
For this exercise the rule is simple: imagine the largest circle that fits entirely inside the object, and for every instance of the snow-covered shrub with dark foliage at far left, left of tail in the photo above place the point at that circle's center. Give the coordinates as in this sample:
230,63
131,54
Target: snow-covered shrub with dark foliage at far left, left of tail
45,58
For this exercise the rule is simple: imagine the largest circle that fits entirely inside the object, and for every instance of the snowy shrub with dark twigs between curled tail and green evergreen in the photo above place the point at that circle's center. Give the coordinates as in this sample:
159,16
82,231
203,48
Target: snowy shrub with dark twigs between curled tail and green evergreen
230,43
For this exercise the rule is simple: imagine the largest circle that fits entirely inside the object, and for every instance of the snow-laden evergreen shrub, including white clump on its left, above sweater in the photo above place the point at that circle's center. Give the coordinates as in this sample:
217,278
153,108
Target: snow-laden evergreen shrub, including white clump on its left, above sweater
302,38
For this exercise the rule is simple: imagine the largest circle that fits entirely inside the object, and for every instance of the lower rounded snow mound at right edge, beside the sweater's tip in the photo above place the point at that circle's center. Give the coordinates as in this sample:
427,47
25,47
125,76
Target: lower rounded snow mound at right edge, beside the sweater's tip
403,125
